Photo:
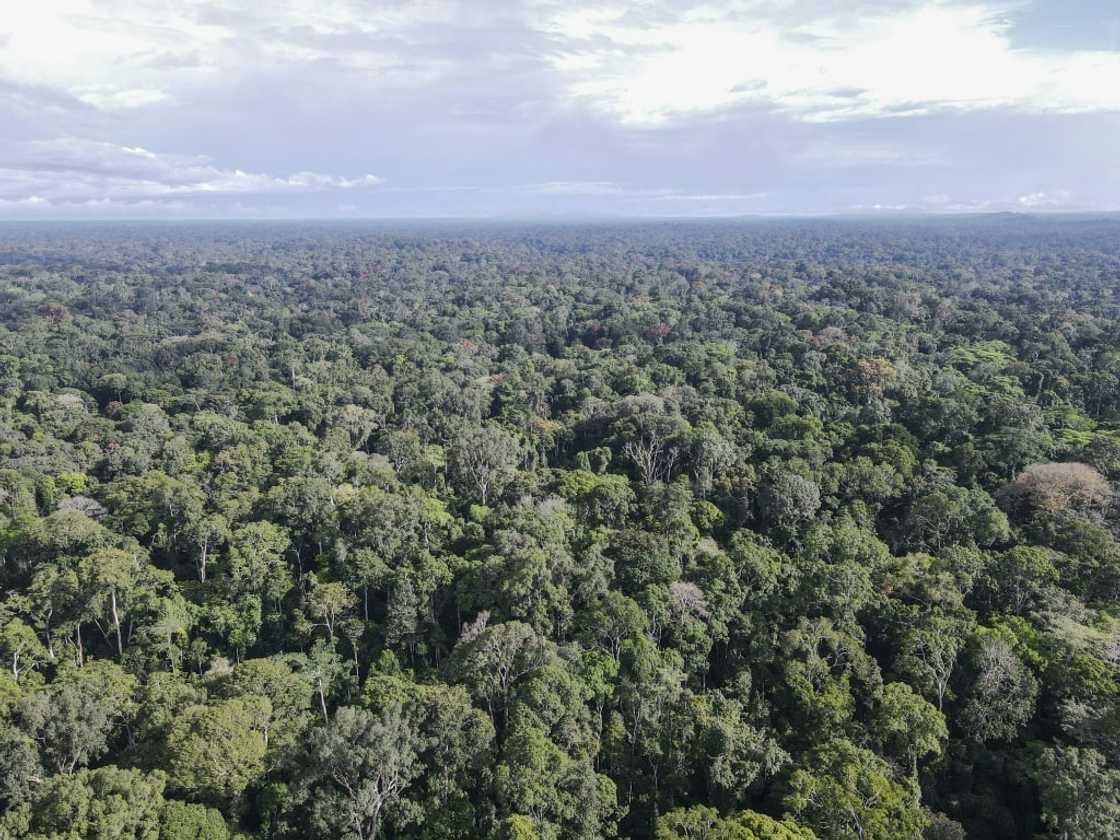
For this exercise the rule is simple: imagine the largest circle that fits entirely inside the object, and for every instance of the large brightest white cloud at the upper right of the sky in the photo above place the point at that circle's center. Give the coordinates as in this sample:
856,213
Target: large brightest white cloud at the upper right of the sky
907,59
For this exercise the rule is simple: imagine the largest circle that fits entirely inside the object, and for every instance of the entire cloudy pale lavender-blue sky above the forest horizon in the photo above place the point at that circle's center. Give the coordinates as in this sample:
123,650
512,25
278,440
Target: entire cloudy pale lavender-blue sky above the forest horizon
356,109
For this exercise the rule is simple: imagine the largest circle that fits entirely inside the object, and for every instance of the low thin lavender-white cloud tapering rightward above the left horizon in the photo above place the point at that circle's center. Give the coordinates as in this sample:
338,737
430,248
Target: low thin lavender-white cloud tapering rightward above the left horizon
78,171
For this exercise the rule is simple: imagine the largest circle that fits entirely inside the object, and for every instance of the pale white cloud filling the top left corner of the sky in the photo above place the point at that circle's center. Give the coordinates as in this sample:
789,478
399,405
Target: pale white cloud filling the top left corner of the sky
127,54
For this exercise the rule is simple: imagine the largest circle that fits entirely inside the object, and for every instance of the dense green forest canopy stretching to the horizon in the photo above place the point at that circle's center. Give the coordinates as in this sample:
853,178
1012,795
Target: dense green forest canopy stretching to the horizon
770,530
